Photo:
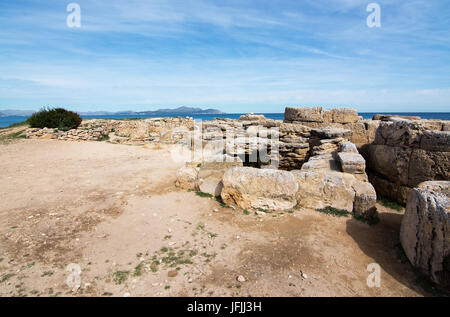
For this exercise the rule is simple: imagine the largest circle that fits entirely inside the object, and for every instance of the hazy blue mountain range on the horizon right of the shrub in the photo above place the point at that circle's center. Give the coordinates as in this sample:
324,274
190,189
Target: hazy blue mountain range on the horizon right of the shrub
176,111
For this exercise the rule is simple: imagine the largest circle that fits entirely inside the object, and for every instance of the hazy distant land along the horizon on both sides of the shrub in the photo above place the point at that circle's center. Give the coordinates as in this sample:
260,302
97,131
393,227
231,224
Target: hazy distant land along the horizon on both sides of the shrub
177,111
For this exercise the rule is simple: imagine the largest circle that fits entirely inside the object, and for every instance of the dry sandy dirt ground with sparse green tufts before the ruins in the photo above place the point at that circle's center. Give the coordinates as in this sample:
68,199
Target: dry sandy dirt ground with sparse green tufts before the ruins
113,210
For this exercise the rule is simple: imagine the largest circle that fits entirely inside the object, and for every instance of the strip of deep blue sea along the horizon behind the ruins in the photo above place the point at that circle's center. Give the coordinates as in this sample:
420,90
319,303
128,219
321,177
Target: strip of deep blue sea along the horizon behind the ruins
7,121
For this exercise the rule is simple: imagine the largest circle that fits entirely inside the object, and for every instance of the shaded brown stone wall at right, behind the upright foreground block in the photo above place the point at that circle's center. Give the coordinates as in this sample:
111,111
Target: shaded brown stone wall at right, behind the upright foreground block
406,153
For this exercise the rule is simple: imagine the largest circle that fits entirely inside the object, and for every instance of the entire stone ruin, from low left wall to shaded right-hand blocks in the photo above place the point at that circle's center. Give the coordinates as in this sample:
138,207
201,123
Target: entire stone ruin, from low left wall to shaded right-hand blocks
315,158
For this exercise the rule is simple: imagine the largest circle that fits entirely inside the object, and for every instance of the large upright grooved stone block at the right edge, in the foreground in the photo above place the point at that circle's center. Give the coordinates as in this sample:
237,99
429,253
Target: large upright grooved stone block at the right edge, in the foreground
425,230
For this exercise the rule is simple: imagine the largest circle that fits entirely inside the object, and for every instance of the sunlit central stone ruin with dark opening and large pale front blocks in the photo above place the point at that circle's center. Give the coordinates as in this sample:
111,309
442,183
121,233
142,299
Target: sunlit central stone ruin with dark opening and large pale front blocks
319,166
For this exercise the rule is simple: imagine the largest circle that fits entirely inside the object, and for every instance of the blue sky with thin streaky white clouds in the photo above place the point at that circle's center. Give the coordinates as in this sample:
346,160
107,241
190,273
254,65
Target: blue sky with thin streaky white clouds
232,55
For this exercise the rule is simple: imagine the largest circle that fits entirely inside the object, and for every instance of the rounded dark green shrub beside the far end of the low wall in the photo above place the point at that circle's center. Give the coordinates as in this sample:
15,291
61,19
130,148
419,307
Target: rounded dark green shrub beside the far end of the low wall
58,118
